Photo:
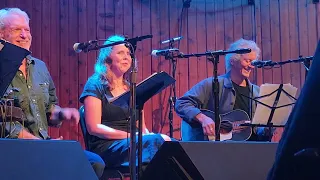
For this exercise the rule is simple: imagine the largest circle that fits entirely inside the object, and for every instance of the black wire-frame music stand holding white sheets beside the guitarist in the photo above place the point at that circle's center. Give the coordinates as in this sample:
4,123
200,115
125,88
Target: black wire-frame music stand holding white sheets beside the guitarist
273,108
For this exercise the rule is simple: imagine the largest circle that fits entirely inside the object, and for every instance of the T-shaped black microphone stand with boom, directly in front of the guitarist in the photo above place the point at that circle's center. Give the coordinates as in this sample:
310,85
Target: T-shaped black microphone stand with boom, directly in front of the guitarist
213,56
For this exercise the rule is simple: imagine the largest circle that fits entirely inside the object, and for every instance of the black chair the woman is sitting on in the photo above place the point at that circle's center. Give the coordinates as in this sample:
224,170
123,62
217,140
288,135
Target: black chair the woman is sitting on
110,172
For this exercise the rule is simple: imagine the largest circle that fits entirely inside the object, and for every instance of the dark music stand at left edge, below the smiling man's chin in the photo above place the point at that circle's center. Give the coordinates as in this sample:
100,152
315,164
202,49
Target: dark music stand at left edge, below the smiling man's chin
11,57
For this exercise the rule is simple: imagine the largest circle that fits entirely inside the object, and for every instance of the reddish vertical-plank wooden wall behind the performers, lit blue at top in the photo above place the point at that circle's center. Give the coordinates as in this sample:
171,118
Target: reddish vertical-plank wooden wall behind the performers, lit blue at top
284,29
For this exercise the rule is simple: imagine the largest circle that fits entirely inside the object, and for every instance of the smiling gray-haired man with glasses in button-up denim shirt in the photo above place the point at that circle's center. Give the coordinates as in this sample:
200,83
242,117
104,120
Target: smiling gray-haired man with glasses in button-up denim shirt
33,89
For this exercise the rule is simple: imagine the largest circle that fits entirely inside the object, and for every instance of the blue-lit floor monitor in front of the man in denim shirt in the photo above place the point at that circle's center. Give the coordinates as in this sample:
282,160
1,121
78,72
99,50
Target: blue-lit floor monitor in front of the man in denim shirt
43,159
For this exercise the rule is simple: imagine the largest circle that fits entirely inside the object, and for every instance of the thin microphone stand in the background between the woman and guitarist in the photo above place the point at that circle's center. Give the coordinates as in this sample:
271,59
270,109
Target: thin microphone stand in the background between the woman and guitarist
172,99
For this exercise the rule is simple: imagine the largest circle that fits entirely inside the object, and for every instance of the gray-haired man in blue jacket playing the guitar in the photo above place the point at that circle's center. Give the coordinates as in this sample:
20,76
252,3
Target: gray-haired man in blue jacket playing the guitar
234,88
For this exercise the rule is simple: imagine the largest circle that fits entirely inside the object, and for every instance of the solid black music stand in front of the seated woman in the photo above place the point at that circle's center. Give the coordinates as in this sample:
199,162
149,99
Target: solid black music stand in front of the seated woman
145,90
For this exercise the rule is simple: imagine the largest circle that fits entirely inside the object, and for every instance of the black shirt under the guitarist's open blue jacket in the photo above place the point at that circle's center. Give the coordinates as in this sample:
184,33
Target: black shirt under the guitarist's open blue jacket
242,102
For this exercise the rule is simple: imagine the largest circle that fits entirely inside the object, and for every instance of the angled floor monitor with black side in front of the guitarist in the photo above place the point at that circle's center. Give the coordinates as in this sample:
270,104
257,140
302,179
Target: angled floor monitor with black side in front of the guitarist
211,161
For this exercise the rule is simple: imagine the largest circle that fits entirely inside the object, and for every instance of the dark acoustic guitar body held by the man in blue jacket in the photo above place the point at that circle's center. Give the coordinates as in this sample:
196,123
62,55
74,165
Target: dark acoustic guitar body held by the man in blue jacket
230,128
